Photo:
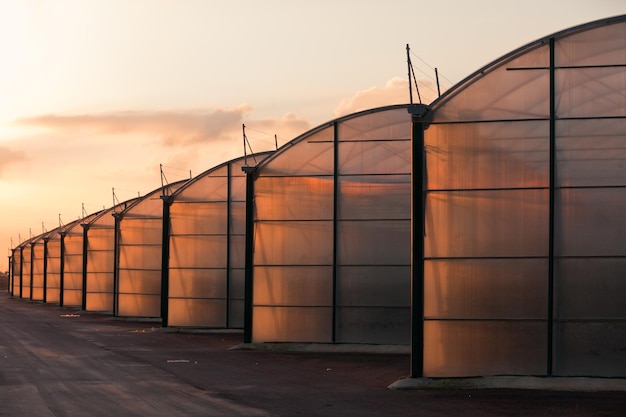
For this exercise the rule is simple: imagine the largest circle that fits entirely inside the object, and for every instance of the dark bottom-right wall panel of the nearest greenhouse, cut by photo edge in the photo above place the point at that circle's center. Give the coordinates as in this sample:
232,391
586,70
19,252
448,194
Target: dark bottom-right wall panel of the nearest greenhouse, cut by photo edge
590,349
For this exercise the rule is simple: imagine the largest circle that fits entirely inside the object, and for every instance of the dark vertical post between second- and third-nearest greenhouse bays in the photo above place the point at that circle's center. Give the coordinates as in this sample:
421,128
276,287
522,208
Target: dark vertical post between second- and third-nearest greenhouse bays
249,269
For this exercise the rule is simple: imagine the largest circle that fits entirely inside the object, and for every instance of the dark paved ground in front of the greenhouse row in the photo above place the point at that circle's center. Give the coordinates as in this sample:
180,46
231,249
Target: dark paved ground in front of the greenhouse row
61,362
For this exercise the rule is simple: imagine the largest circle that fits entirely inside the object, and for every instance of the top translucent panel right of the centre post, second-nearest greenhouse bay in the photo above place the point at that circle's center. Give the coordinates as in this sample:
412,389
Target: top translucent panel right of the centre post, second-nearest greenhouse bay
380,125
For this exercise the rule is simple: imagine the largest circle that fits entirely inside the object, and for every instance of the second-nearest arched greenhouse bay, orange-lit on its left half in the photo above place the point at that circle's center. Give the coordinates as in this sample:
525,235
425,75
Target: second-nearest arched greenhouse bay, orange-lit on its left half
331,243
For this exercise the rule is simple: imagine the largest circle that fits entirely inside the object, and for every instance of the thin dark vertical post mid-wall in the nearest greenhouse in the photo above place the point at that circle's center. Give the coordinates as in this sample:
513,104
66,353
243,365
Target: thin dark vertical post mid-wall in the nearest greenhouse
550,347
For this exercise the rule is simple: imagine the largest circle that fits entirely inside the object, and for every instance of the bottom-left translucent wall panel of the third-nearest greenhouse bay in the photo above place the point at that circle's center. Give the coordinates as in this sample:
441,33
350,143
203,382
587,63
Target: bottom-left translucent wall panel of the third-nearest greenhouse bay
197,313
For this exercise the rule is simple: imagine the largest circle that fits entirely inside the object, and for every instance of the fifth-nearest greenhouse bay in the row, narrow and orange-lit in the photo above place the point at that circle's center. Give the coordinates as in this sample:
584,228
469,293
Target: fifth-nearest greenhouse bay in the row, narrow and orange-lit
99,246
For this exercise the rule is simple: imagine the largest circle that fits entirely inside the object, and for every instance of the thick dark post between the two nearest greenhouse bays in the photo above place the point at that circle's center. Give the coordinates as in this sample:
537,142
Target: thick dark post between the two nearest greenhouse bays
417,241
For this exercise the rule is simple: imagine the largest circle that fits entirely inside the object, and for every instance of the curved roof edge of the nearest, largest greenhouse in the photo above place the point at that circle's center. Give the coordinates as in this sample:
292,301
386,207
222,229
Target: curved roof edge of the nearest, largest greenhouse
455,89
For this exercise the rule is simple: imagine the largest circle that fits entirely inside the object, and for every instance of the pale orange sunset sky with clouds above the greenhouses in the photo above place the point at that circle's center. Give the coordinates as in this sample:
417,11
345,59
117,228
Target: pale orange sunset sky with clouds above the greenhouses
96,94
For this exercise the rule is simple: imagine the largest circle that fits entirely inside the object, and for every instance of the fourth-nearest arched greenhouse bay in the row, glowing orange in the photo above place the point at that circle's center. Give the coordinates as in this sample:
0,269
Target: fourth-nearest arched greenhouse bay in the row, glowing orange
138,257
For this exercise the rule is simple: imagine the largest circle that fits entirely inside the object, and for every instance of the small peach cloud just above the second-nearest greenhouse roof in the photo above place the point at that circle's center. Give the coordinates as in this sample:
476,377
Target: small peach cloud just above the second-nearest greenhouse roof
396,91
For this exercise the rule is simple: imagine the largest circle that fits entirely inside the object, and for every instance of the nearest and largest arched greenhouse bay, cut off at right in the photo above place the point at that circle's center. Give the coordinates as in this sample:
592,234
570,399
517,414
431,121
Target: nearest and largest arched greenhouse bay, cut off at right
519,239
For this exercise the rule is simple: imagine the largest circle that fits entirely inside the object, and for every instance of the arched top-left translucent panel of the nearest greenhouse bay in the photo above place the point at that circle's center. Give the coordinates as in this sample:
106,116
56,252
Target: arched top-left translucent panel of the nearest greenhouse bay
511,90
